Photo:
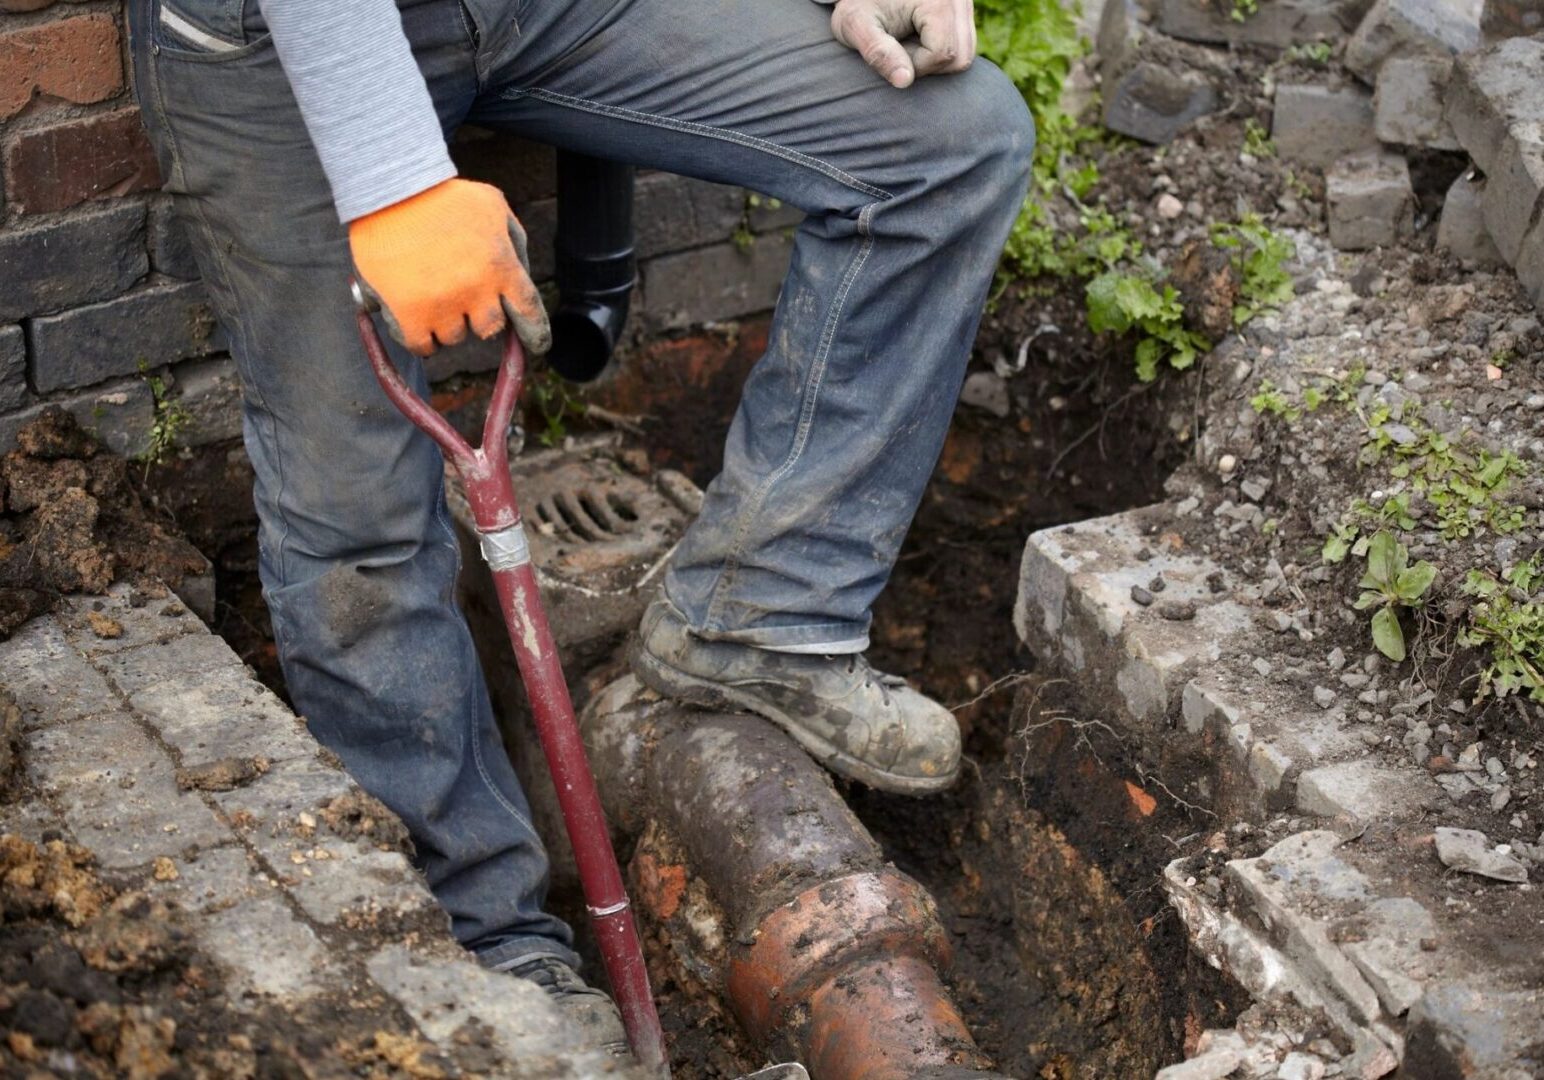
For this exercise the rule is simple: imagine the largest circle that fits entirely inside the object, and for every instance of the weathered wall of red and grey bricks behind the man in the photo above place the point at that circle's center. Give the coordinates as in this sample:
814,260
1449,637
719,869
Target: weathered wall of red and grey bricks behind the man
98,288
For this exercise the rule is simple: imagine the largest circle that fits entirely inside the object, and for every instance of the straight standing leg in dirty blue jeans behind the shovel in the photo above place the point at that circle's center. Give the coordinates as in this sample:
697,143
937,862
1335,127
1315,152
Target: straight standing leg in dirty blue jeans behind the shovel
357,554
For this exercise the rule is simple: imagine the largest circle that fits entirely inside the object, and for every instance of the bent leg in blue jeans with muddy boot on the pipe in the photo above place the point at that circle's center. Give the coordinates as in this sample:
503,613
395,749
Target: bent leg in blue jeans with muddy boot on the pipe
910,197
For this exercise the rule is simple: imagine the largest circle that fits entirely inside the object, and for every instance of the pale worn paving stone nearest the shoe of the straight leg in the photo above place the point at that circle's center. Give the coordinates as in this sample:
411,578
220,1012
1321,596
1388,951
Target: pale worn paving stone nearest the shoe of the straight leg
444,993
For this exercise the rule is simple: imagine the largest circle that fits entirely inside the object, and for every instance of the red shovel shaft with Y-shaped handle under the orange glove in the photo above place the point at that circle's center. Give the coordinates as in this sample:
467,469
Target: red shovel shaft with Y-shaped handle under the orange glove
490,494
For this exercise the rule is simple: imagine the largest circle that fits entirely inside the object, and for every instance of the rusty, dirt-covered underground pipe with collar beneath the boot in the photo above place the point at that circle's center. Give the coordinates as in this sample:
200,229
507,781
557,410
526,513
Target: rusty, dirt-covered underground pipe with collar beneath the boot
825,951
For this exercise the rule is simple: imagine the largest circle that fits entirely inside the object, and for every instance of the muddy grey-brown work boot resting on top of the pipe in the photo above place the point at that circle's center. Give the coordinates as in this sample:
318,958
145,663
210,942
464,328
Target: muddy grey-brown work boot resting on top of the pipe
855,721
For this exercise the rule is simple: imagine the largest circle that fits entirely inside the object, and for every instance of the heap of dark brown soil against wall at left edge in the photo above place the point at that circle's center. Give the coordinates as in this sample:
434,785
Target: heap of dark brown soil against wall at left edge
73,521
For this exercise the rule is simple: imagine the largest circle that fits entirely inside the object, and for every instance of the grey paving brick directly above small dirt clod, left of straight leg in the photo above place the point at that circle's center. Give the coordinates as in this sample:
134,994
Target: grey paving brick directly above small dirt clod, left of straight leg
225,713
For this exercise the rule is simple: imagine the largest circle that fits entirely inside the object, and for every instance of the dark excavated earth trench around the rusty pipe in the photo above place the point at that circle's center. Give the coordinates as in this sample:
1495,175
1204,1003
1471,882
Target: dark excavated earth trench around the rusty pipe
1046,860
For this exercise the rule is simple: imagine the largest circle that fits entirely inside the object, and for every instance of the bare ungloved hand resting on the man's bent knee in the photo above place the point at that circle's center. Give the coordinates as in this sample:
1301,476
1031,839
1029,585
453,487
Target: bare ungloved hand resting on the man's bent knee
909,39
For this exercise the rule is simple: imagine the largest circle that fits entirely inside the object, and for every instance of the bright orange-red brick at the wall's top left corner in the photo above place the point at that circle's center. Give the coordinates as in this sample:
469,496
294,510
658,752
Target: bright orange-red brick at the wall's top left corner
76,59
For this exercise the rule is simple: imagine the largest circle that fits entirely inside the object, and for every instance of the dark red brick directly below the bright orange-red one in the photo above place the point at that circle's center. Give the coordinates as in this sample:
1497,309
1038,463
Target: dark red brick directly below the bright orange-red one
66,165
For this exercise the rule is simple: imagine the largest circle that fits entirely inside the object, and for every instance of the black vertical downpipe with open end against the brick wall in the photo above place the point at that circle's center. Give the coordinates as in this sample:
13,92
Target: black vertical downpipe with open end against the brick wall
595,263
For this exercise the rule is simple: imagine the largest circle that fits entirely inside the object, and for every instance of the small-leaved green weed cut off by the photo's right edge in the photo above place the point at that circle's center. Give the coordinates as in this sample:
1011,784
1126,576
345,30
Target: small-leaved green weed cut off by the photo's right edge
1509,620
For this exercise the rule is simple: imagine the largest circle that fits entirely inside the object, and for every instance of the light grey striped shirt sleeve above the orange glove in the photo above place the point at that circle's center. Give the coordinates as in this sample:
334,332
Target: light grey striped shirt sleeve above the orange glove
364,100
